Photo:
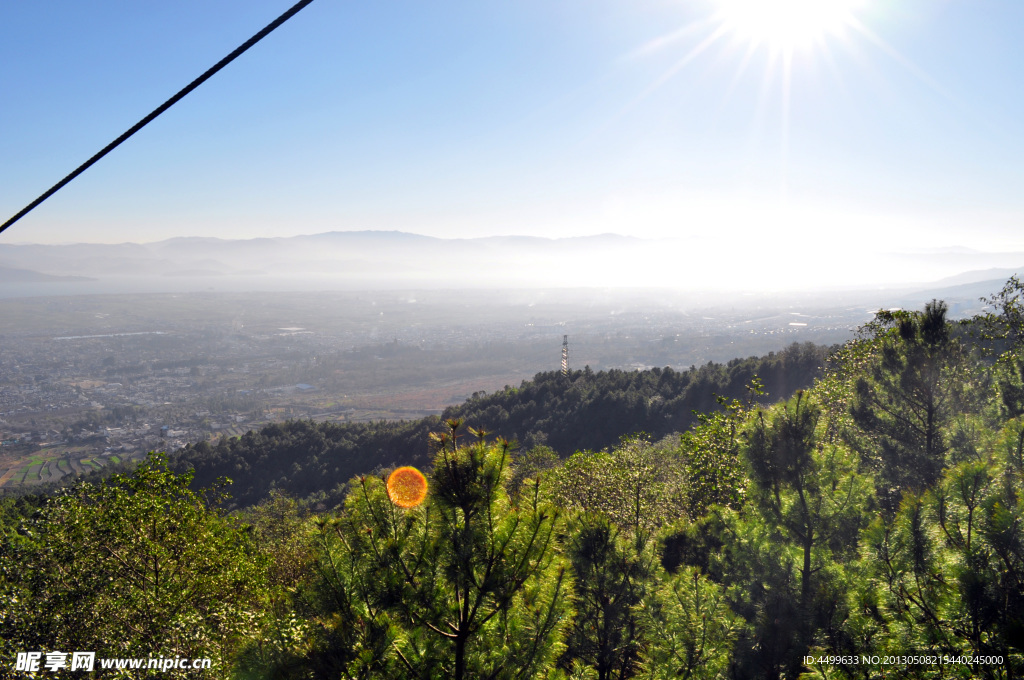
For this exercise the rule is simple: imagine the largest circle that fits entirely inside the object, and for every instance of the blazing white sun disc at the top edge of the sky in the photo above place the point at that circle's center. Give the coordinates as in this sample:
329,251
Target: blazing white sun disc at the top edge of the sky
786,26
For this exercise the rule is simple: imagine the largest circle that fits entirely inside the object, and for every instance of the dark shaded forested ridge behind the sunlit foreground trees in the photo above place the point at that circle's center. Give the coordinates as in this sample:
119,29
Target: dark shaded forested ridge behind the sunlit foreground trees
582,411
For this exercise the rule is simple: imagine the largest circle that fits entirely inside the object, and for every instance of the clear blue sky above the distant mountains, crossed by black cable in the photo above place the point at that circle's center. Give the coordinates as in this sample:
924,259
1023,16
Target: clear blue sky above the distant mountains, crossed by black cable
900,129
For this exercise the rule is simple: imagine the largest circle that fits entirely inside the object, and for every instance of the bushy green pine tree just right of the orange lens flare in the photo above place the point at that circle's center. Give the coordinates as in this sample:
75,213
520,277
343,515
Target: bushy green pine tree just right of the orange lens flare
464,586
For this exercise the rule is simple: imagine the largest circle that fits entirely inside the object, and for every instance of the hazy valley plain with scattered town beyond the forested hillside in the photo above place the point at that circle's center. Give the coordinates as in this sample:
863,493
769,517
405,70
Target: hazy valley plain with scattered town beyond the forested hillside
87,380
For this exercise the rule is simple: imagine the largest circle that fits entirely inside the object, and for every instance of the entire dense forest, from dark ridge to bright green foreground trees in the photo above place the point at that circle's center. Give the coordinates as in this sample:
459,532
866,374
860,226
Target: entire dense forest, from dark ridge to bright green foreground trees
867,526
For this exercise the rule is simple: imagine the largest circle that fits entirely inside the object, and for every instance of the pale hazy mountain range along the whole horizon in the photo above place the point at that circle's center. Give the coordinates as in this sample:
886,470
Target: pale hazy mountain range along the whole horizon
399,260
